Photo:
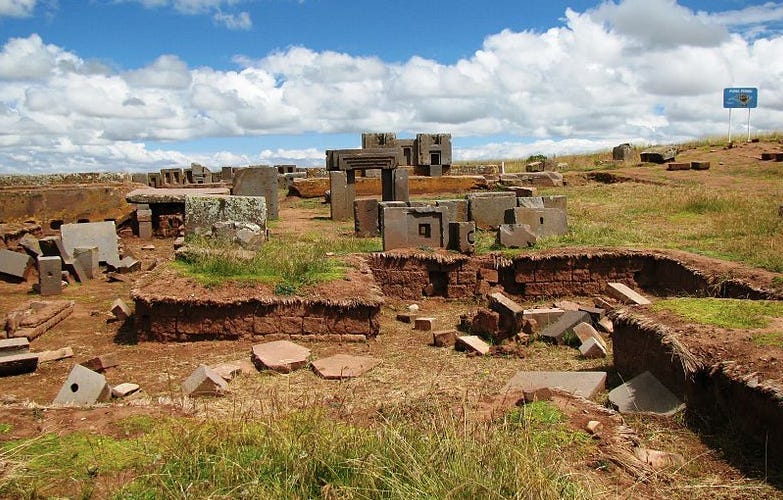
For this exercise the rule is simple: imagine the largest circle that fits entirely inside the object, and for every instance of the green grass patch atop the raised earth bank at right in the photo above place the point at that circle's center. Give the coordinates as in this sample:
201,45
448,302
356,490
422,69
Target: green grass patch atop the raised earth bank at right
723,313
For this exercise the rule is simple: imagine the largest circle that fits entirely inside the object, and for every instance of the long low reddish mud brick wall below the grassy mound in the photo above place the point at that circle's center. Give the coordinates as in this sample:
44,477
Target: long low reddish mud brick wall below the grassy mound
168,321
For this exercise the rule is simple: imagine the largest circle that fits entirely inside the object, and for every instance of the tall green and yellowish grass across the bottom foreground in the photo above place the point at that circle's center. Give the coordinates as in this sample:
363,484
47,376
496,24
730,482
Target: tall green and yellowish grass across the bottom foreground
310,455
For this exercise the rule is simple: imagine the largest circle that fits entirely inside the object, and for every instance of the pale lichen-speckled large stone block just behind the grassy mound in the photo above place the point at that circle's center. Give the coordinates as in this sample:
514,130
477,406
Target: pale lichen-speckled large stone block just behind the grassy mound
202,212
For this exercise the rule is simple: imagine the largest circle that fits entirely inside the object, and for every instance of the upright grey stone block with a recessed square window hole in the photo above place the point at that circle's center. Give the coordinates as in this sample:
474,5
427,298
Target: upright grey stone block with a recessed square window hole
411,227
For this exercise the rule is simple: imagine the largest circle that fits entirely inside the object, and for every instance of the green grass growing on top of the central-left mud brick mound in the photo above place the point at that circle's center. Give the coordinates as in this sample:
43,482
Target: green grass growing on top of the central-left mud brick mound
287,263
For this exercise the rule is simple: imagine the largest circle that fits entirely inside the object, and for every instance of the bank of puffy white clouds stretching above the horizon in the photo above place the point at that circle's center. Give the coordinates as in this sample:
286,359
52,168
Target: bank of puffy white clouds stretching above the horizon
582,85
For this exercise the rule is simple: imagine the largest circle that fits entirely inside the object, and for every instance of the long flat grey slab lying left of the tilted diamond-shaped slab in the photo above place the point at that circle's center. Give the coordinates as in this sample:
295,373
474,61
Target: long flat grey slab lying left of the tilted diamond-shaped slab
585,384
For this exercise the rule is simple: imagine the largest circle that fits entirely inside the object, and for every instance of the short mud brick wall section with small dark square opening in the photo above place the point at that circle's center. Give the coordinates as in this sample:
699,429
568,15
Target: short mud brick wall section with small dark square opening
411,277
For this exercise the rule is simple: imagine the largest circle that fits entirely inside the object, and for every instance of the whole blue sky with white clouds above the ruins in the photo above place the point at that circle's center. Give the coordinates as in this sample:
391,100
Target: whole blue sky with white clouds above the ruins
146,84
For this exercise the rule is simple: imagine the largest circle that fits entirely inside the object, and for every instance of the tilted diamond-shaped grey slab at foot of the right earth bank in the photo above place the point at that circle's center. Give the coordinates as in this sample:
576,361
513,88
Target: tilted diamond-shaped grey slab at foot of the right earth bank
644,393
